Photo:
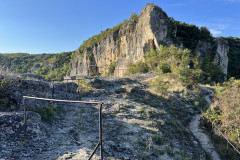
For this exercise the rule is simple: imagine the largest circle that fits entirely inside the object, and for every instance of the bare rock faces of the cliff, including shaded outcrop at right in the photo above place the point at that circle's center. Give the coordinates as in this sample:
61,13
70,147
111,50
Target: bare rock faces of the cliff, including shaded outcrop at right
133,40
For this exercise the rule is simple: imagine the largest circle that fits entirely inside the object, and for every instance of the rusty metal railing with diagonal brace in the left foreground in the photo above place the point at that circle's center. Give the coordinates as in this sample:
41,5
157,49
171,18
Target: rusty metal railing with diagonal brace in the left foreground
99,145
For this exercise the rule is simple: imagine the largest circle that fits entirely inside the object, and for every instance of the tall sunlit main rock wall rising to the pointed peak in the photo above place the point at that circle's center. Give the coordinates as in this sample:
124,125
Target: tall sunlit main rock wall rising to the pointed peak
127,45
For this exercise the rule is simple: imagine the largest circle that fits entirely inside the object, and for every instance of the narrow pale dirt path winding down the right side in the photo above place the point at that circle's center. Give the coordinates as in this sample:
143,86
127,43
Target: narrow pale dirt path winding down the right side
198,132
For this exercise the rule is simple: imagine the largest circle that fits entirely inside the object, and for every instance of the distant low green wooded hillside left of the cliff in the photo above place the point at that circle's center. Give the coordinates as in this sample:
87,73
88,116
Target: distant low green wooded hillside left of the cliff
50,66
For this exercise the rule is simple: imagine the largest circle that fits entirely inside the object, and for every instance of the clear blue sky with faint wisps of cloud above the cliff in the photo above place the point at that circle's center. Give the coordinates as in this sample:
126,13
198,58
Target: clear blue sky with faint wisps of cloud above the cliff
53,26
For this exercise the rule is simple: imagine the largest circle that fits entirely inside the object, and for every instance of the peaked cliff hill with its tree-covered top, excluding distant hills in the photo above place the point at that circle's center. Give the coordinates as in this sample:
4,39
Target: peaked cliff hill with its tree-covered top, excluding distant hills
129,42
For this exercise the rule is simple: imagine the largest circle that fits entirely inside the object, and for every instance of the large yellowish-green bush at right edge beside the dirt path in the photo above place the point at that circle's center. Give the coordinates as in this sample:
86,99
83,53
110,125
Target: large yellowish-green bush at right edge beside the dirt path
226,110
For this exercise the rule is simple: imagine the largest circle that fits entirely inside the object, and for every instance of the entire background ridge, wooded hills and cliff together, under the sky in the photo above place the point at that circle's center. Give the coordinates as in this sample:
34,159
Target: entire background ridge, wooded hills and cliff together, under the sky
128,43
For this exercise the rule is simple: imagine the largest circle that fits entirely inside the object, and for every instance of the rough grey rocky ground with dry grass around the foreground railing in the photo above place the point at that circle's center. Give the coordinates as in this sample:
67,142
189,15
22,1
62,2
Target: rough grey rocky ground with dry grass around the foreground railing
138,122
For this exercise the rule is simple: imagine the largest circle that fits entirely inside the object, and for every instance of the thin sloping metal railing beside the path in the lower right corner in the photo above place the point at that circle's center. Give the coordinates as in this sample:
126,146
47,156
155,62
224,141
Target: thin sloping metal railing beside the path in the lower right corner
223,136
